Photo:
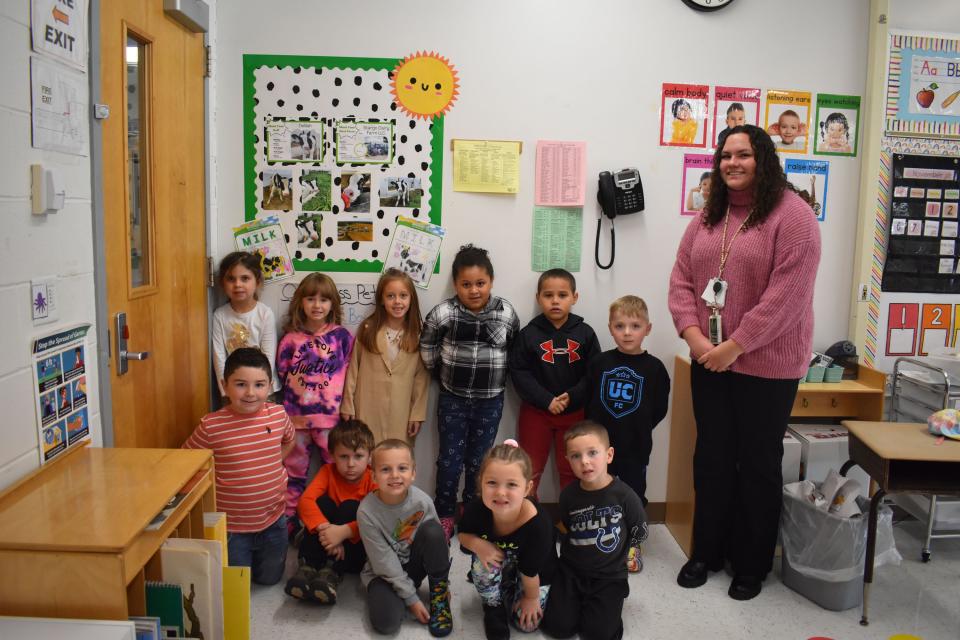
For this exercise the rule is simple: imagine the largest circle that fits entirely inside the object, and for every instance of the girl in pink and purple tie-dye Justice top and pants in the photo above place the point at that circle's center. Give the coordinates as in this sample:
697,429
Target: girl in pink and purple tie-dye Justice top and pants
312,363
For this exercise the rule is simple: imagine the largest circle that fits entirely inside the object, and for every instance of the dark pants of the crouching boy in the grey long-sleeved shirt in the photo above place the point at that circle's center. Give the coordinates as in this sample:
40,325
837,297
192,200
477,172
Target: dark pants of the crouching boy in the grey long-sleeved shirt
429,556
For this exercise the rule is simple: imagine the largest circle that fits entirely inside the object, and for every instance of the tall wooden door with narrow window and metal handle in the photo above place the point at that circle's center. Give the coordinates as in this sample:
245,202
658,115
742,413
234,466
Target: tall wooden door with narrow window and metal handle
152,72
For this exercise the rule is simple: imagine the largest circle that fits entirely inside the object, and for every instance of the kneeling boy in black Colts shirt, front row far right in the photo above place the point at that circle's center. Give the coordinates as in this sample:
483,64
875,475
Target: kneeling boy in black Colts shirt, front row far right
603,519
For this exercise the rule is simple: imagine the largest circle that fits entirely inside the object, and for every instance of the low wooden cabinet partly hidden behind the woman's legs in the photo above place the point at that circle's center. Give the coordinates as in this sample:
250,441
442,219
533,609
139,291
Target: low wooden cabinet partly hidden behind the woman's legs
859,399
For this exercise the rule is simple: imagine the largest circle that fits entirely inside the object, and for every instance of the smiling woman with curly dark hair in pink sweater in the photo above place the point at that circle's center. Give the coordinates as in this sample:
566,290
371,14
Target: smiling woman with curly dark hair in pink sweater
741,296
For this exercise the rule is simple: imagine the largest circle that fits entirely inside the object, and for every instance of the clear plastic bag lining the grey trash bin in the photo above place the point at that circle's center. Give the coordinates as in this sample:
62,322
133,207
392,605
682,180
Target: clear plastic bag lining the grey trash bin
828,547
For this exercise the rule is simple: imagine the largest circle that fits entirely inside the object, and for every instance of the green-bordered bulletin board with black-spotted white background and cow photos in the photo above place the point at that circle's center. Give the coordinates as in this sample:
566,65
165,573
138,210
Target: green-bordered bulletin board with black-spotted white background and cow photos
328,151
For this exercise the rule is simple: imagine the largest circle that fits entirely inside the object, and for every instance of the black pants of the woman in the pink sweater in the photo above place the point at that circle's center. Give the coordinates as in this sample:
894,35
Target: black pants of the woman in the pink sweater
737,462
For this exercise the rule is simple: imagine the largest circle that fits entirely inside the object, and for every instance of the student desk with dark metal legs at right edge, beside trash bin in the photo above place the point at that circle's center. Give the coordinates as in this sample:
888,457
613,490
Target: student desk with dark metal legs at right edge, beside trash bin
902,457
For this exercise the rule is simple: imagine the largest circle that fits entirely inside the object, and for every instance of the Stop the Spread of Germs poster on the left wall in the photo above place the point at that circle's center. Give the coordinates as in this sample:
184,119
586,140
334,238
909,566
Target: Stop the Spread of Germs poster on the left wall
60,390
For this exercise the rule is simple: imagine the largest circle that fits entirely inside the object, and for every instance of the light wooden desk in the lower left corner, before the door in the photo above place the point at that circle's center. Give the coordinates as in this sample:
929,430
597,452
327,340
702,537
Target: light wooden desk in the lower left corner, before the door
72,538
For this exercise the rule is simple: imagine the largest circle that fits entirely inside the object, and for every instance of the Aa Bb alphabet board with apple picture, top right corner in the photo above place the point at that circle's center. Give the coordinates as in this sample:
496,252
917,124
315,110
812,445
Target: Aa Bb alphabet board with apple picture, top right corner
923,85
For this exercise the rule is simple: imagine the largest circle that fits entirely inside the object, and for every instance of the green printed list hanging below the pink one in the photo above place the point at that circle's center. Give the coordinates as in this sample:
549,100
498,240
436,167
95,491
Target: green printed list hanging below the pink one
557,233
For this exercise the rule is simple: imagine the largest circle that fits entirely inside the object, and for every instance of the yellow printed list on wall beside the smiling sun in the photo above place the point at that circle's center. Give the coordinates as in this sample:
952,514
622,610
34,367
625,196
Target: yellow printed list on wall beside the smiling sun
486,166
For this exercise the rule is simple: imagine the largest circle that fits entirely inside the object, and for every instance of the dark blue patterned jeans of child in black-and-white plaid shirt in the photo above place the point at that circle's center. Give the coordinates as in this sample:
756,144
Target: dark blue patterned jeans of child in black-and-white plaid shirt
467,431
